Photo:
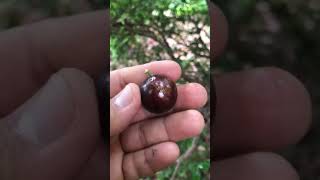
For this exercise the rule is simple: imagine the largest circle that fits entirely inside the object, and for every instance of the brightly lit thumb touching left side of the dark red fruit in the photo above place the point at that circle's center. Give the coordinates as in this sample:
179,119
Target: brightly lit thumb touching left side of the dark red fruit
123,107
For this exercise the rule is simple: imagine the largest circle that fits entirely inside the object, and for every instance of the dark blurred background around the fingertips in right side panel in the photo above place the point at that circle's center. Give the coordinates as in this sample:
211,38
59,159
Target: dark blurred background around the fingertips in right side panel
282,33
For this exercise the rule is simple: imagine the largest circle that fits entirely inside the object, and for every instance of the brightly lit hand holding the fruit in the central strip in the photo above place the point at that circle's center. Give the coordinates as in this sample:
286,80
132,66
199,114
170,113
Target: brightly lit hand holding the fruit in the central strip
142,144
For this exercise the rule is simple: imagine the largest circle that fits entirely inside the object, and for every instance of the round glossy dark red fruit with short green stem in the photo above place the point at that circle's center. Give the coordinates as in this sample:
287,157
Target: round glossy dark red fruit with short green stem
158,93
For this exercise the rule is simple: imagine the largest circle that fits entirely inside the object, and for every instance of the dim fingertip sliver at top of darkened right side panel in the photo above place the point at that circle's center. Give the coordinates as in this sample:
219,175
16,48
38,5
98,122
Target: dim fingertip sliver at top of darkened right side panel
219,28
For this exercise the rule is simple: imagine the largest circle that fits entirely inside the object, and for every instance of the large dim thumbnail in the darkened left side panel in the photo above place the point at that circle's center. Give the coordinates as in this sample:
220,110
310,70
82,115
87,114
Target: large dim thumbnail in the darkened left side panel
47,115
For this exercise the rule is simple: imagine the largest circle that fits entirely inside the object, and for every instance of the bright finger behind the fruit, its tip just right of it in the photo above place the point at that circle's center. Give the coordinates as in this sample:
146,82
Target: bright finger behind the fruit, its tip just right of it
190,96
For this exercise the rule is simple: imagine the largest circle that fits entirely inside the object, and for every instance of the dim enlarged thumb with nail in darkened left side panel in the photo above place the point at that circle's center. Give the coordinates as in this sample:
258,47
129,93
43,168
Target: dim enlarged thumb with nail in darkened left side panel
55,132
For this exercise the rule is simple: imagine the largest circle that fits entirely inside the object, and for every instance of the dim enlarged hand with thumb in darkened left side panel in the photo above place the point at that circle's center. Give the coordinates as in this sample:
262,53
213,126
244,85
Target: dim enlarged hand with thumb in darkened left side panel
52,133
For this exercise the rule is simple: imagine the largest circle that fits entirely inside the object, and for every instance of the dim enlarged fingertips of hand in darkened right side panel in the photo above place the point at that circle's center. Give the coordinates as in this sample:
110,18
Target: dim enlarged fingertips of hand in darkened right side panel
258,111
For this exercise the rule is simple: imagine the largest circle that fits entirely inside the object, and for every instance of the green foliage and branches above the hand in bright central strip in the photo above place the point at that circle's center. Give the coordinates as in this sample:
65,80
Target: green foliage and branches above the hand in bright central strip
156,30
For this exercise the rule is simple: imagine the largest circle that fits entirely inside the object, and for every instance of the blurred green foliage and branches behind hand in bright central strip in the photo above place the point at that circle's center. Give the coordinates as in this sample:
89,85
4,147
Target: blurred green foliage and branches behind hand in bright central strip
179,30
